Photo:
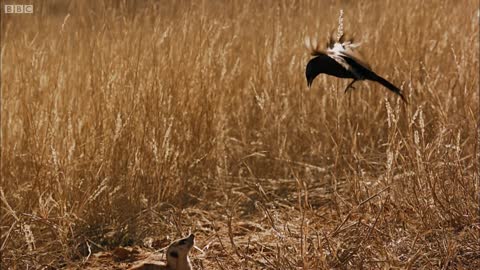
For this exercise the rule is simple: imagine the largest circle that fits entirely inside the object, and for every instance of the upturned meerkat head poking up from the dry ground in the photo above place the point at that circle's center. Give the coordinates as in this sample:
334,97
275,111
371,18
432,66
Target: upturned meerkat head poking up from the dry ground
177,253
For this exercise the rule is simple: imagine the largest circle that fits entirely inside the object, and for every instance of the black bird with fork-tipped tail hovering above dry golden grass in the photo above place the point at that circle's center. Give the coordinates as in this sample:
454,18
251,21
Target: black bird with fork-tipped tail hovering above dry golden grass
340,60
